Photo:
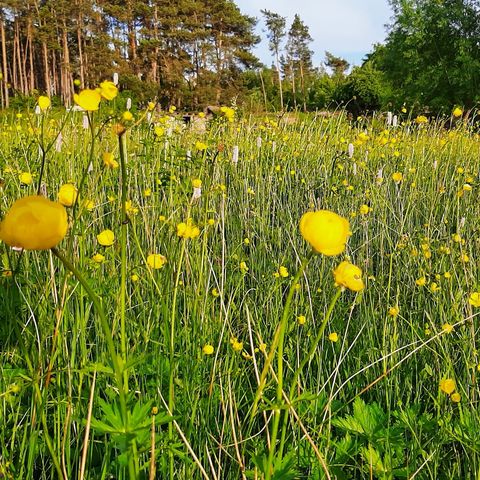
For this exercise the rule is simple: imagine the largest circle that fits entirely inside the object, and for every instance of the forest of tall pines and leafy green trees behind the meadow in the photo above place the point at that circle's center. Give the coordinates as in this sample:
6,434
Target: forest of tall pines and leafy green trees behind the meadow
193,53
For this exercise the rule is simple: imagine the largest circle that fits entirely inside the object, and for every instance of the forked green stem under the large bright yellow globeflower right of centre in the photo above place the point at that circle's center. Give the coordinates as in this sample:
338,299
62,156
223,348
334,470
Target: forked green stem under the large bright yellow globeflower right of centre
279,340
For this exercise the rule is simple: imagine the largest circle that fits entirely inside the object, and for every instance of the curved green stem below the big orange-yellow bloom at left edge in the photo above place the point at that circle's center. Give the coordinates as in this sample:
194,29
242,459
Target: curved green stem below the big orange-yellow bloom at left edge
117,366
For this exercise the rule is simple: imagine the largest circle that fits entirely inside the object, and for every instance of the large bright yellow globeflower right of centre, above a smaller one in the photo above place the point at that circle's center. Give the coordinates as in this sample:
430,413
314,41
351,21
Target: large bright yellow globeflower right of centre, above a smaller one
326,231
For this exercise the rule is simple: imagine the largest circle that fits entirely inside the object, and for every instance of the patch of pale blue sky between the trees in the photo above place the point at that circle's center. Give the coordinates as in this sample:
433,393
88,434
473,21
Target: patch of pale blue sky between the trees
346,28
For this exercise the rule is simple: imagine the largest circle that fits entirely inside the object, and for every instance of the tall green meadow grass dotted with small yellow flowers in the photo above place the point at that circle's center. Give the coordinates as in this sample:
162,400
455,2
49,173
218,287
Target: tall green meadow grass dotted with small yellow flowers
367,404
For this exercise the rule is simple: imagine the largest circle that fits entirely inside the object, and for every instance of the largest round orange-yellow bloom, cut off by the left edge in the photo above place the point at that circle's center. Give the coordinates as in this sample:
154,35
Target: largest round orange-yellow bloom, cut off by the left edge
34,223
